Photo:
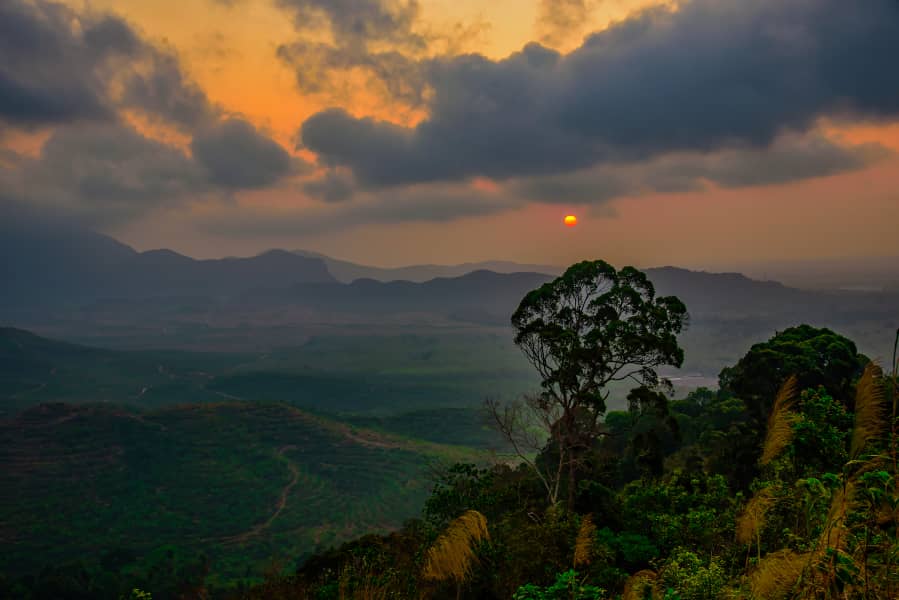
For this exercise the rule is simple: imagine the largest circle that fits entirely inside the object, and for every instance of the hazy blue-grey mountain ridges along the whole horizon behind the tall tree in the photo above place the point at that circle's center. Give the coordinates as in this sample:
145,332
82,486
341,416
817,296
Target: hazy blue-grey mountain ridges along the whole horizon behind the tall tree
62,269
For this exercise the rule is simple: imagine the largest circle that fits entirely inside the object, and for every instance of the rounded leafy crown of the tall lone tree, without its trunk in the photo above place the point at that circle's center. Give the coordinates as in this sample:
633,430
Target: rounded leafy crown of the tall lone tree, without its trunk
594,325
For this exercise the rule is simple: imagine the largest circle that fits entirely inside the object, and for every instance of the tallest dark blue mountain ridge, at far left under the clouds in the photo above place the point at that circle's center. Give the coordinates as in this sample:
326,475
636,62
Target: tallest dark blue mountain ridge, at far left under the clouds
52,263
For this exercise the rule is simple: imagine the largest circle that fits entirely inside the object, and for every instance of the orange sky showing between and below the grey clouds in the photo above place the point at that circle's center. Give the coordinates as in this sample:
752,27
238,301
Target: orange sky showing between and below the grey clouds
230,51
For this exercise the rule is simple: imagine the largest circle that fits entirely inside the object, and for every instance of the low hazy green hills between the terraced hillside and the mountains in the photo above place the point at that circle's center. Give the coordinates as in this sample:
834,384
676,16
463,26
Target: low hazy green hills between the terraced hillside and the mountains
339,376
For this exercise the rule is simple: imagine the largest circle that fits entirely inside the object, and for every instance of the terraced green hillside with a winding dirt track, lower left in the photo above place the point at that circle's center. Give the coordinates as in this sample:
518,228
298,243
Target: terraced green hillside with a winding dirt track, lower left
244,483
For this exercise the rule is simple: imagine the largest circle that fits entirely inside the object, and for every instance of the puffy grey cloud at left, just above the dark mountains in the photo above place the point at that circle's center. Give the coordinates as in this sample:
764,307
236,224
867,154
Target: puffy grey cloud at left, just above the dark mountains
106,174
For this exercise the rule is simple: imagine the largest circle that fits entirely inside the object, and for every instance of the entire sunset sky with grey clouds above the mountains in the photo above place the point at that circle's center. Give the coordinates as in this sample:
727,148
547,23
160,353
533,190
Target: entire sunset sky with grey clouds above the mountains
698,133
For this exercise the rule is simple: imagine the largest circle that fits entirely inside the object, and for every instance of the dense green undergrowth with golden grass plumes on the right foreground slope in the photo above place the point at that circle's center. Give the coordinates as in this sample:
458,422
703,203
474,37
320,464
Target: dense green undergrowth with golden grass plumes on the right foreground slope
700,500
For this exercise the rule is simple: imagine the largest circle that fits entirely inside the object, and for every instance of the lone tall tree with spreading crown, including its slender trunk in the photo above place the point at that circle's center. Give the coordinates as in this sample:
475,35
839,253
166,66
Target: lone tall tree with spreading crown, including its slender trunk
586,329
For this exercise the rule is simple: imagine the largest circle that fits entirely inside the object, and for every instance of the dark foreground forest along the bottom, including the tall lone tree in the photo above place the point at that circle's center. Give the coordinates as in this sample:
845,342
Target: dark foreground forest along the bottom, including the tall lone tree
781,483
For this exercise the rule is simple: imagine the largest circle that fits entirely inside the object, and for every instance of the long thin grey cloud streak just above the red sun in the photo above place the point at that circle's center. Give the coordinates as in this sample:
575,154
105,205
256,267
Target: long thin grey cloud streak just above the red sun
791,157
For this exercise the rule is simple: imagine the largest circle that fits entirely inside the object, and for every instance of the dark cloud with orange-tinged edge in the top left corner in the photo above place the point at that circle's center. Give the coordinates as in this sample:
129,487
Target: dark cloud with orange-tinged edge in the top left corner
59,66
